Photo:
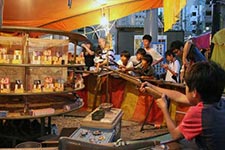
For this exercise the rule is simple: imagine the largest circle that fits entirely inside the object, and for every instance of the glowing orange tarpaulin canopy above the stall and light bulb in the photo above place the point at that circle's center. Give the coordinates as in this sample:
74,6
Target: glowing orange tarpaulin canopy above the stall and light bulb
56,14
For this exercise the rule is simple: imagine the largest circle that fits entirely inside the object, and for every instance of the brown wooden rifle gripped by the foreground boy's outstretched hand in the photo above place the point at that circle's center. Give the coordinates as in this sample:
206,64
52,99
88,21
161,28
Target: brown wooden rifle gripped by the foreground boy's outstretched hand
156,94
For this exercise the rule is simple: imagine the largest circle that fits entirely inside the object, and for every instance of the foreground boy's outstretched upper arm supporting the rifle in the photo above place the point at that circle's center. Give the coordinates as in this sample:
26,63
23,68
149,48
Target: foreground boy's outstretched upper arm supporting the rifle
172,94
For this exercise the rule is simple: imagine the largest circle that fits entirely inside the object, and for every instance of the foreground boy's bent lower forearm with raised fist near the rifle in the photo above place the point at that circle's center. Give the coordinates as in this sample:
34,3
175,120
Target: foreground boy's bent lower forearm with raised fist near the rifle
174,131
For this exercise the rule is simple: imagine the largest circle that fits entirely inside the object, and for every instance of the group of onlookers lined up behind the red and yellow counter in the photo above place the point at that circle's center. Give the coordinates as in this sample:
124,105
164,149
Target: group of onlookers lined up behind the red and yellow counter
178,58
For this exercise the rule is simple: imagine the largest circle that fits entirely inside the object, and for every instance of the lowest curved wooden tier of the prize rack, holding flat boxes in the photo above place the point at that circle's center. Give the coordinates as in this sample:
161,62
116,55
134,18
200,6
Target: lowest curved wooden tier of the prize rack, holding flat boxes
15,105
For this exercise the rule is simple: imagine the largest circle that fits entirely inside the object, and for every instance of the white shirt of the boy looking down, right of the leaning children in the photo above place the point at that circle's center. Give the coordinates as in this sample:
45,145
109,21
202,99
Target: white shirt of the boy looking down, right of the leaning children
175,66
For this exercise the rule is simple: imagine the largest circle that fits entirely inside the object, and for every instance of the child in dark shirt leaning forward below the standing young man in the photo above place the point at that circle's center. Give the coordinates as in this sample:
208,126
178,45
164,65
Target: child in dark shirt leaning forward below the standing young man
145,71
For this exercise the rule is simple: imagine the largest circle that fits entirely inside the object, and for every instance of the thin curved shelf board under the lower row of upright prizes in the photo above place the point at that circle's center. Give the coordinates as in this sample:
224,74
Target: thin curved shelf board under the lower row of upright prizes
68,90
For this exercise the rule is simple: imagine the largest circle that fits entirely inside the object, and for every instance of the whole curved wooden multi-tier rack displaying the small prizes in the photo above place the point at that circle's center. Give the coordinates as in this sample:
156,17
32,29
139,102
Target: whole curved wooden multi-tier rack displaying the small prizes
14,103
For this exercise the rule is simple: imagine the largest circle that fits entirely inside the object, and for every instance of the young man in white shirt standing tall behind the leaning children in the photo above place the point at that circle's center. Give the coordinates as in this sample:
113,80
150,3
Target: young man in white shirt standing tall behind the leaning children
157,58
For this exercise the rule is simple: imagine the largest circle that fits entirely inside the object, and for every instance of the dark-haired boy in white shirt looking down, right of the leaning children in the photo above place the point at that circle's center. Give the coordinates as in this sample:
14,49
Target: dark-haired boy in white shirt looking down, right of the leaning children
173,68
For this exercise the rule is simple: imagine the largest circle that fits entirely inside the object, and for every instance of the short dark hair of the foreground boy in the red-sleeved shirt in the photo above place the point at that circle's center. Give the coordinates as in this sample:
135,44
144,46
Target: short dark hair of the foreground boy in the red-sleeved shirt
208,79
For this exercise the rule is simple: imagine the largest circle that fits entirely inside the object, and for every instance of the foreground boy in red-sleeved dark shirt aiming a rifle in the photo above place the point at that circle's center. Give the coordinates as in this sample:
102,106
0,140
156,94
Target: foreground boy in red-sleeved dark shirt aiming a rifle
205,120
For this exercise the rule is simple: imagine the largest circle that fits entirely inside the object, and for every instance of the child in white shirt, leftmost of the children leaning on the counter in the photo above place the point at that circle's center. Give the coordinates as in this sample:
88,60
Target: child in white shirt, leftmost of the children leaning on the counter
124,60
